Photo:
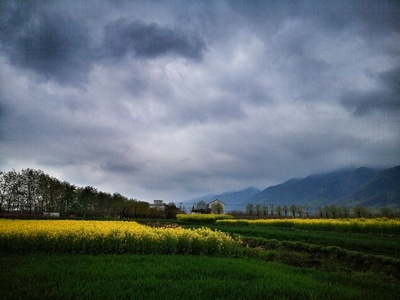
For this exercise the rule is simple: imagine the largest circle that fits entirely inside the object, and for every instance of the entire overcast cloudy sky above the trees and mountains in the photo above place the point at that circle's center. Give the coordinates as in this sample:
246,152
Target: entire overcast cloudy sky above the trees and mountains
177,99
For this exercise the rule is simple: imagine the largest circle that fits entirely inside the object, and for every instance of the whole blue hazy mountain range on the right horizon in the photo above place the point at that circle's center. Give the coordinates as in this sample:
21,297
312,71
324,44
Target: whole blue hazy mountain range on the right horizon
368,187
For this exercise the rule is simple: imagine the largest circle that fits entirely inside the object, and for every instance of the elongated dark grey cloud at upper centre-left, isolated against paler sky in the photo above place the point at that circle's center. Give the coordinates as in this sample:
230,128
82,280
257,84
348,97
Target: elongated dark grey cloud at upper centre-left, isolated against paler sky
149,41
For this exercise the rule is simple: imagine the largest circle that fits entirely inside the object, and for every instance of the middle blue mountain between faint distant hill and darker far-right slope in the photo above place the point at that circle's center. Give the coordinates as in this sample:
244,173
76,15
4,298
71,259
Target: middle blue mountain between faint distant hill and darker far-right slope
316,190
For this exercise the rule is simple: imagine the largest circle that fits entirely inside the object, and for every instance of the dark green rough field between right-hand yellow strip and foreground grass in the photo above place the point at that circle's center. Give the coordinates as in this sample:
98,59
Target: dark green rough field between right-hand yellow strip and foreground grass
346,253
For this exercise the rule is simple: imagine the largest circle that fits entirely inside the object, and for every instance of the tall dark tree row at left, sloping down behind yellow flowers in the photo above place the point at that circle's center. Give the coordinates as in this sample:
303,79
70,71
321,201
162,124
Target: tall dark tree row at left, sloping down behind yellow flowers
33,192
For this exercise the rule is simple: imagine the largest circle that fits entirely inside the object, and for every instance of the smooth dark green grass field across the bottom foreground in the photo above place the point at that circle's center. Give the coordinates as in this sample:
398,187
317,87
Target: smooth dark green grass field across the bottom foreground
132,276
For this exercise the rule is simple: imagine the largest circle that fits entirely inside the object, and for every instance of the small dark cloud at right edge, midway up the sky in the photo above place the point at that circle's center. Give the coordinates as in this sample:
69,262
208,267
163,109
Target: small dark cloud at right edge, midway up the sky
385,98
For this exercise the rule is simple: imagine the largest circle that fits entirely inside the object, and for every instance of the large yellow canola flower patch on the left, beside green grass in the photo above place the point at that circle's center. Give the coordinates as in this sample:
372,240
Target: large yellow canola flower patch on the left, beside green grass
71,236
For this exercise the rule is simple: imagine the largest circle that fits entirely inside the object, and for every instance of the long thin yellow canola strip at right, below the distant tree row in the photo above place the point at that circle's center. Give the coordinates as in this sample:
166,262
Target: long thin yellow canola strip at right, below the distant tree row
359,225
